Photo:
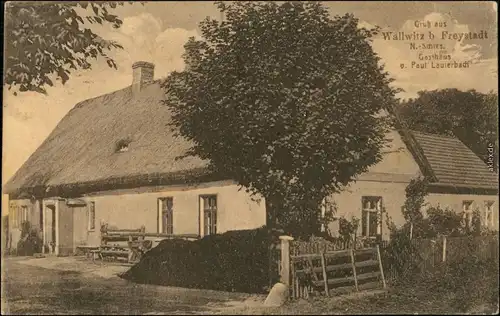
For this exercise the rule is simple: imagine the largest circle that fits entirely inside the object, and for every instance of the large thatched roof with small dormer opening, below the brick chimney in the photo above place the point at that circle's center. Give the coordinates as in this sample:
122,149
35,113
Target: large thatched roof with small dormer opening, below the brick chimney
82,149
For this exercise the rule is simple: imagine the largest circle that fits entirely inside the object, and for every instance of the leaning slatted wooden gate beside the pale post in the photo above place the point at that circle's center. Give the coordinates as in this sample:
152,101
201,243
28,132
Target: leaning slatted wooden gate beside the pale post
325,267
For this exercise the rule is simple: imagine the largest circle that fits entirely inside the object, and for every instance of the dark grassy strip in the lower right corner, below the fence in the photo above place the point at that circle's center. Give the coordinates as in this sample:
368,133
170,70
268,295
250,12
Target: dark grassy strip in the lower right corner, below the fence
470,286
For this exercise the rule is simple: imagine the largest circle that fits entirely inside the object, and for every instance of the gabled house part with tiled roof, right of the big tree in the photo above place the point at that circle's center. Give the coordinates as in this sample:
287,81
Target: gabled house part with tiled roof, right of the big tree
459,180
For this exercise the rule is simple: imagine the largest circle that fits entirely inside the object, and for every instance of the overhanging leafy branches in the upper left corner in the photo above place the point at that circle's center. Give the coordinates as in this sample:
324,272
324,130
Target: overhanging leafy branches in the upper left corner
49,38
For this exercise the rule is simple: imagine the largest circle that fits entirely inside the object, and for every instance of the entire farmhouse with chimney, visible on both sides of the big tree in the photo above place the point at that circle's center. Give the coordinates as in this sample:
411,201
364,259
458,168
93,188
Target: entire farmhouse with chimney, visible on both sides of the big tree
113,159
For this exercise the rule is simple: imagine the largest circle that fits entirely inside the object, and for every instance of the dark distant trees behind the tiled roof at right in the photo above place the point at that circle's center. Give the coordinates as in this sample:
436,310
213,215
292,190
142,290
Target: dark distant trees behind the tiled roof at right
469,115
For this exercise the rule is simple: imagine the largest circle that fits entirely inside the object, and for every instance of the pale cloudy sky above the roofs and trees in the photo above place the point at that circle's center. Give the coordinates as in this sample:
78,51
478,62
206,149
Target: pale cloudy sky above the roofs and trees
157,31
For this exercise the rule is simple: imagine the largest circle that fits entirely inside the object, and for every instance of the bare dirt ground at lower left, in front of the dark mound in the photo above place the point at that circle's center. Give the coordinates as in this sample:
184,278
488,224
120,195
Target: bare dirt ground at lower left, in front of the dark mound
65,286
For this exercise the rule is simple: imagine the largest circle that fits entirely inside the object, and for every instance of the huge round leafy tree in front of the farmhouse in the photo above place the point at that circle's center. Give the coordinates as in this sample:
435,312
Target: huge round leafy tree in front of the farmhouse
284,99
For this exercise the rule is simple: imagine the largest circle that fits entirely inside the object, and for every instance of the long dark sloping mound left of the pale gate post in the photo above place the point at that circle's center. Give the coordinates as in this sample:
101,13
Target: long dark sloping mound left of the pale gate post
233,261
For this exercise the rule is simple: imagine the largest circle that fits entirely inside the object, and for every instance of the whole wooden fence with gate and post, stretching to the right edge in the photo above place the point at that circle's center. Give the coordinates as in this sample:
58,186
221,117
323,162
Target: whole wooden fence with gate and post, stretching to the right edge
427,255
